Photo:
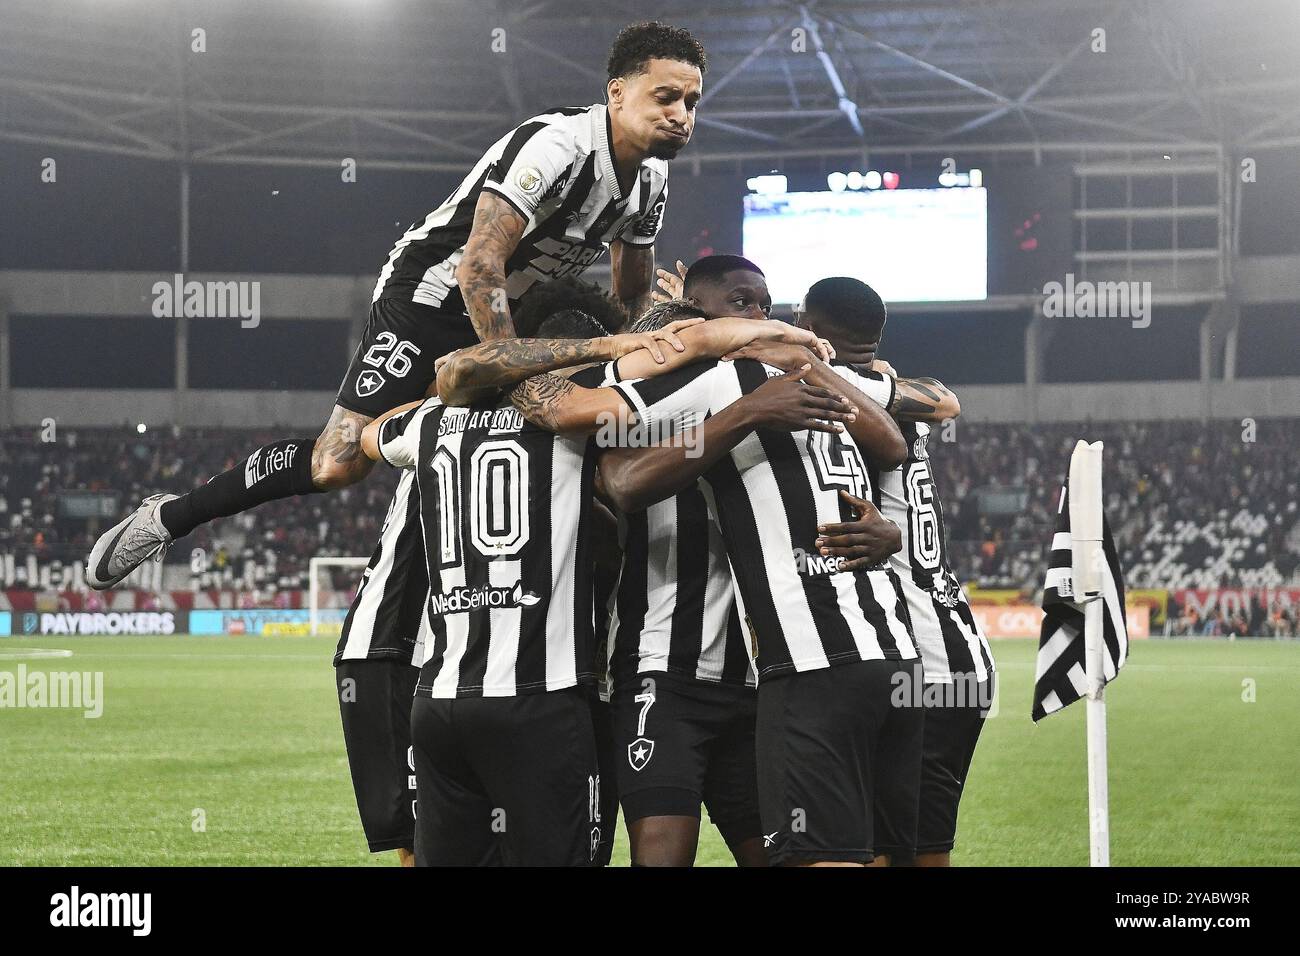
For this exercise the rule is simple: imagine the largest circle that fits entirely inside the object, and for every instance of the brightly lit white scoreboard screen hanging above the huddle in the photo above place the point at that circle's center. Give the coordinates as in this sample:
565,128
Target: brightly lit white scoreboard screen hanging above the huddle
911,245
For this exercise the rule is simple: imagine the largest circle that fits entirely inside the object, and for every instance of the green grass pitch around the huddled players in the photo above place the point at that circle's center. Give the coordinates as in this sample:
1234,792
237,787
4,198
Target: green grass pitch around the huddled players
248,732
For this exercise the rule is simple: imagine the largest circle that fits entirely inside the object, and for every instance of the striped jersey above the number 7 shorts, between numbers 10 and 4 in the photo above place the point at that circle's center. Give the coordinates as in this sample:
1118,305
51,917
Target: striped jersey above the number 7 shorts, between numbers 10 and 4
674,609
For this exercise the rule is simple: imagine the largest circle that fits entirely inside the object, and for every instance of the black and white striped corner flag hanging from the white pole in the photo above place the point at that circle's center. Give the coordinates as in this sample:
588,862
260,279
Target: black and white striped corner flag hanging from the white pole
1060,677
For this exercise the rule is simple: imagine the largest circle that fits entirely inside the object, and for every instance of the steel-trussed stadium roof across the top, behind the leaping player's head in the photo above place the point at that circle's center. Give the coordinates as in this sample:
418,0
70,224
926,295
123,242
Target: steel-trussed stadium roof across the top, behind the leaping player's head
427,85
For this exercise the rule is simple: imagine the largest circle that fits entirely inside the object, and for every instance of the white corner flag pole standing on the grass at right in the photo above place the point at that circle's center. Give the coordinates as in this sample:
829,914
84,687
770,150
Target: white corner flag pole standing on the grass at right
1089,560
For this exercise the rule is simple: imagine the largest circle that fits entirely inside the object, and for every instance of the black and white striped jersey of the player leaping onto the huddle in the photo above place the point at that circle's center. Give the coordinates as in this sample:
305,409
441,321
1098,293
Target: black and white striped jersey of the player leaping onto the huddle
557,170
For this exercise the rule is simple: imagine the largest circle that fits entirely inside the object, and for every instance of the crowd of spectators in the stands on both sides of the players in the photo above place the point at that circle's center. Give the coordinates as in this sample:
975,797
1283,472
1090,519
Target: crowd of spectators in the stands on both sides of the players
1191,505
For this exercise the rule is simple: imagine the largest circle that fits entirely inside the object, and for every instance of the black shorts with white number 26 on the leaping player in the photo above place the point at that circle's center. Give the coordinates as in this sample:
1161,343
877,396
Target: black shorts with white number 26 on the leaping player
393,365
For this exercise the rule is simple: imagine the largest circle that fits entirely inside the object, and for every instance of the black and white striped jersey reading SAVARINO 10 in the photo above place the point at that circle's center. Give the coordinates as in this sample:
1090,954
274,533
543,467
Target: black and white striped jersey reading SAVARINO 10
506,512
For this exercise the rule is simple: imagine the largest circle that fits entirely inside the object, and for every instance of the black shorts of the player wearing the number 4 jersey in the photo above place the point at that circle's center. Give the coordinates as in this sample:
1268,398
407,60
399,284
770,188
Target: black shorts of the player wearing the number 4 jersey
839,763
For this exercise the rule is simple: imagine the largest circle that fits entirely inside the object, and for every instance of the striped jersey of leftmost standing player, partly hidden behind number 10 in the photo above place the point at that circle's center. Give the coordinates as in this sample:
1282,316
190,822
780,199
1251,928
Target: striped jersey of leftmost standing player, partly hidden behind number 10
387,615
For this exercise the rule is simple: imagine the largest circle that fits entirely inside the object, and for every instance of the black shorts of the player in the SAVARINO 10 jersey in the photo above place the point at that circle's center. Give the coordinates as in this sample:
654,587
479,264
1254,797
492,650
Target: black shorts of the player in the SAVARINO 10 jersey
509,776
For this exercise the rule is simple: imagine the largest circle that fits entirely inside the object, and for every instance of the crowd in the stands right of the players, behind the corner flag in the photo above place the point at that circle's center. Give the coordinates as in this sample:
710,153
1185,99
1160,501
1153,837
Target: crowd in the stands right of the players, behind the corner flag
1190,505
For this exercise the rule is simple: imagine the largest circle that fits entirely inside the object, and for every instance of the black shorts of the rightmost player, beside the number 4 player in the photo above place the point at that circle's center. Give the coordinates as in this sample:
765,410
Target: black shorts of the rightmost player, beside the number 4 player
951,734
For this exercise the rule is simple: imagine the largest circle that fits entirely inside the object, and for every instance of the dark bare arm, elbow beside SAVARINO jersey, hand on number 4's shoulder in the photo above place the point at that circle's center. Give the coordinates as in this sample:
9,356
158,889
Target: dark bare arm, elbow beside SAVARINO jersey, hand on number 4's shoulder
636,478
